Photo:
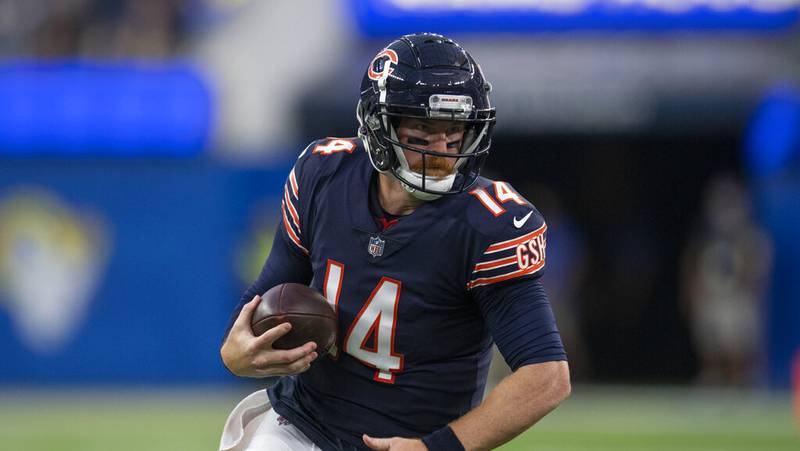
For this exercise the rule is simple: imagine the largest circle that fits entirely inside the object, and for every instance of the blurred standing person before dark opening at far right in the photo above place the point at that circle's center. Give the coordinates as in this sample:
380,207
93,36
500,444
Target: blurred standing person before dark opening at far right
724,274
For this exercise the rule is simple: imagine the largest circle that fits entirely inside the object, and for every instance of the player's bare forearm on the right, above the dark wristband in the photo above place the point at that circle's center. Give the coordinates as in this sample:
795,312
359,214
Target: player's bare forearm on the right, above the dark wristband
517,403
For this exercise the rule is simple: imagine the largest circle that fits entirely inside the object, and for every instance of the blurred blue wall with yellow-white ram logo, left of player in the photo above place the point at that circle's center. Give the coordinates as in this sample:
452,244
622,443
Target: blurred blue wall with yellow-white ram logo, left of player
159,242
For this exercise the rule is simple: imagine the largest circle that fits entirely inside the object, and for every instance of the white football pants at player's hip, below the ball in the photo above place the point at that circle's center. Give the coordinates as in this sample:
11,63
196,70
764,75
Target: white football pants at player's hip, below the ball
254,426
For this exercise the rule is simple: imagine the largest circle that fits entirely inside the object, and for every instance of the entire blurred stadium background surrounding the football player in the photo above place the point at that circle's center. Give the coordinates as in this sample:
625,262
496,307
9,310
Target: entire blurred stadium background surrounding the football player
143,145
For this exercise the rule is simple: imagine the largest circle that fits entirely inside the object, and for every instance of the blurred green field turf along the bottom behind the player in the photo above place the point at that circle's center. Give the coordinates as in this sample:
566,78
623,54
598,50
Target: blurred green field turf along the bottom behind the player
593,419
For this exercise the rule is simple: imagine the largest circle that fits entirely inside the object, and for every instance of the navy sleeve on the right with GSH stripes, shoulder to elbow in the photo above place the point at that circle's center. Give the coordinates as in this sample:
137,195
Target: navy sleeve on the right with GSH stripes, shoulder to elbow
508,260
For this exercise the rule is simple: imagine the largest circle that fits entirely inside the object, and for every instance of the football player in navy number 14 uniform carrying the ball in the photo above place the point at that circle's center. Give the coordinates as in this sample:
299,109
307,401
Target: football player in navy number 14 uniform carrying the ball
425,263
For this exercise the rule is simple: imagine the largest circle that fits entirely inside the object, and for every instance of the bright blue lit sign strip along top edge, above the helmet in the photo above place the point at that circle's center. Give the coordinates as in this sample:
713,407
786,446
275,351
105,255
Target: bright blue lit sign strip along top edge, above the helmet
392,17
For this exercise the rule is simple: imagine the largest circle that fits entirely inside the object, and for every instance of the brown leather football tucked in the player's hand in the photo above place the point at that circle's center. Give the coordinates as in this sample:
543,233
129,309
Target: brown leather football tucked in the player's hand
311,316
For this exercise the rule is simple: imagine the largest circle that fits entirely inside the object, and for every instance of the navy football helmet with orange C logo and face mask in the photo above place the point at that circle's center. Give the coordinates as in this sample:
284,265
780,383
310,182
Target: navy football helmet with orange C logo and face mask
425,76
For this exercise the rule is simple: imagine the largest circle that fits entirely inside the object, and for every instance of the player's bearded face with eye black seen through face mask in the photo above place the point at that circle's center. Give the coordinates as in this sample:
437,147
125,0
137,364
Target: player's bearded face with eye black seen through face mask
432,135
